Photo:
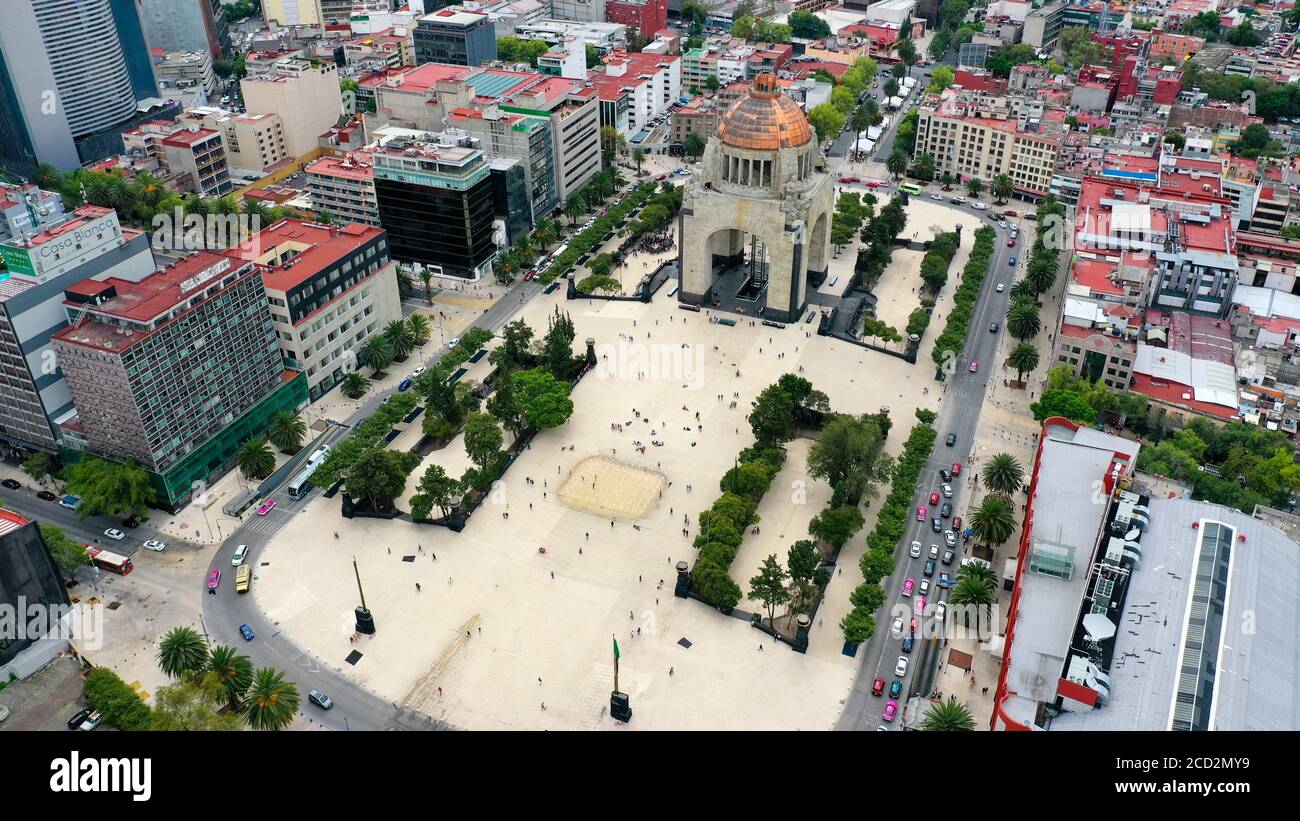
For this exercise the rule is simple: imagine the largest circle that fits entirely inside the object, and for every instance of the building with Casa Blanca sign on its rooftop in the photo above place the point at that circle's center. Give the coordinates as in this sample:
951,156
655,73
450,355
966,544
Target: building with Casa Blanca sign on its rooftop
90,242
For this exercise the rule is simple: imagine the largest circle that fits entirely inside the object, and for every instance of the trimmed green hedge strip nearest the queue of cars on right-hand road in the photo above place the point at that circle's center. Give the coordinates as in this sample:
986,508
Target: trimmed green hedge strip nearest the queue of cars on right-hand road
878,562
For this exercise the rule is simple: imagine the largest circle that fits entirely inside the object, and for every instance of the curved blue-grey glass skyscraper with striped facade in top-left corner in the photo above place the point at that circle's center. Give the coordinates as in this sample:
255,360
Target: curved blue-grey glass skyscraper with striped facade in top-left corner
66,86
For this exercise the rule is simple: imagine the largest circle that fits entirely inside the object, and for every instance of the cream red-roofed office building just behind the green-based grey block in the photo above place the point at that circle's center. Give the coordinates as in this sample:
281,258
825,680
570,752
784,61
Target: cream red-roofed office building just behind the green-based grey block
330,290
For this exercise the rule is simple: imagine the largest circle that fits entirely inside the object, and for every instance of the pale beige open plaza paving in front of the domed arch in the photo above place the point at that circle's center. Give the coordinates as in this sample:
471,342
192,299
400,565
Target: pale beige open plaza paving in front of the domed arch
489,620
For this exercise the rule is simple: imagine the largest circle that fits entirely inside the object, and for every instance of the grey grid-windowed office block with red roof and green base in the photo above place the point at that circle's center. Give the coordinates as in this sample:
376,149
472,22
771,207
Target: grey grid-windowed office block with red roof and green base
177,370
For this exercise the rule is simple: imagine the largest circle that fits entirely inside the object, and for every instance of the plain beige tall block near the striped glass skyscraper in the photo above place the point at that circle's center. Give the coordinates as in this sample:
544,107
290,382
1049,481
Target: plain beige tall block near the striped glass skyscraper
306,97
